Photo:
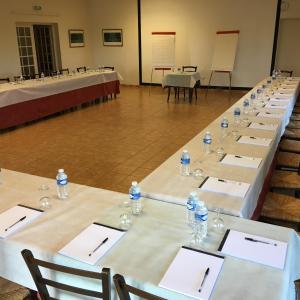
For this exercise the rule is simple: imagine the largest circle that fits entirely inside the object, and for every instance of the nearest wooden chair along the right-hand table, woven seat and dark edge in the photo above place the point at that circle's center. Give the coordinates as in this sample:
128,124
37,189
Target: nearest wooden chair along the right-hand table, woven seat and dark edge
281,210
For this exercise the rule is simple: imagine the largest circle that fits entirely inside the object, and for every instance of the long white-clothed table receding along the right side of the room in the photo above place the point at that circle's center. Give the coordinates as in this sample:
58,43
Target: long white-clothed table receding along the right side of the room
166,184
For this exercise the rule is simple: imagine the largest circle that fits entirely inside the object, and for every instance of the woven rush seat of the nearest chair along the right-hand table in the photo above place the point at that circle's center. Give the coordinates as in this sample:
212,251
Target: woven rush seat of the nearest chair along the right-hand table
281,207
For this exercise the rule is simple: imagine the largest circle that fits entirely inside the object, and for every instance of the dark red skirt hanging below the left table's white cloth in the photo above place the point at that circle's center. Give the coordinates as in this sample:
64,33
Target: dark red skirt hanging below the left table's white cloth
23,112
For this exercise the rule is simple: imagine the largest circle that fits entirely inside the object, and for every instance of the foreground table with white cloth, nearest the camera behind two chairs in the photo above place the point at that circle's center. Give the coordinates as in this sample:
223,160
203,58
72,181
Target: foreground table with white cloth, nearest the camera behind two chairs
145,252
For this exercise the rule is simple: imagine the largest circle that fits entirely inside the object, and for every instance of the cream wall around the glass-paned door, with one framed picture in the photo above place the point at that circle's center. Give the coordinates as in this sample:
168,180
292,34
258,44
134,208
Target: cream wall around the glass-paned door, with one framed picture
68,14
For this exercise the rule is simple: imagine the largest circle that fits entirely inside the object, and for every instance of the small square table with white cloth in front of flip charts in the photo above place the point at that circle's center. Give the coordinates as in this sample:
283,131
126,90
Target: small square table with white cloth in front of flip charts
182,80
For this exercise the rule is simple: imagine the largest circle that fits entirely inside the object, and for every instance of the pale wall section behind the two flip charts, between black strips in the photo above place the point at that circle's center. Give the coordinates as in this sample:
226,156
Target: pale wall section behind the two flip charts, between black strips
195,23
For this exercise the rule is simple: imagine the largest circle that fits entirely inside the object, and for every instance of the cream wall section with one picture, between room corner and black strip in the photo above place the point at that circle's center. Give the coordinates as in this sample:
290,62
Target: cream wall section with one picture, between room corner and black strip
116,14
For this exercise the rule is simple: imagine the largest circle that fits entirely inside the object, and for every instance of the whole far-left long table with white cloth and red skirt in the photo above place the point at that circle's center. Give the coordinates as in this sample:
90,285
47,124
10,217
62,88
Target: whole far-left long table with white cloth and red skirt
35,99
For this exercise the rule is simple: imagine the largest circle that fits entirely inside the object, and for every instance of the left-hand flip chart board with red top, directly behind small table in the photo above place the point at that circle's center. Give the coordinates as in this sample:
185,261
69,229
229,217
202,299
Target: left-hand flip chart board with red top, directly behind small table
163,49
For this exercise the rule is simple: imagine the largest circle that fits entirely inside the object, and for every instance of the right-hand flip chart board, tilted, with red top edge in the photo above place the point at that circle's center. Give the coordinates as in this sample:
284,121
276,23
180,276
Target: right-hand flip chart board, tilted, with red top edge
225,50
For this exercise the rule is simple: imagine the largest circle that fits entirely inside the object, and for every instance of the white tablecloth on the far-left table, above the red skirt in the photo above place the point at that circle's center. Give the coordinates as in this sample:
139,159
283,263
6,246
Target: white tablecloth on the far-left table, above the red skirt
11,93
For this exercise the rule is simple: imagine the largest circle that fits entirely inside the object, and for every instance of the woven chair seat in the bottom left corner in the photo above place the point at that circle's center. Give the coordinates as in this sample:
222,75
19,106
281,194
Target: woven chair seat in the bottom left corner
12,291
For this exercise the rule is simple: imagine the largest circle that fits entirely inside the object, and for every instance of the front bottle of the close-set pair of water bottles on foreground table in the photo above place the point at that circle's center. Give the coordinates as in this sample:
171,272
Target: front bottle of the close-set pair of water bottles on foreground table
200,219
